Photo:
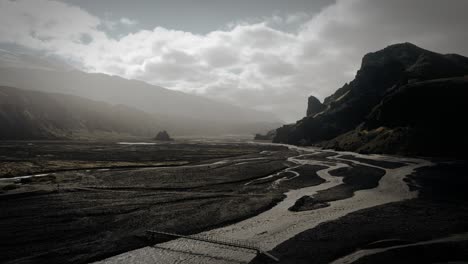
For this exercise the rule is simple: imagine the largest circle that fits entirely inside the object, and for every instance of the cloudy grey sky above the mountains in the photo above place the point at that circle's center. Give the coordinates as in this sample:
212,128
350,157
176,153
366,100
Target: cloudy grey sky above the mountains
268,55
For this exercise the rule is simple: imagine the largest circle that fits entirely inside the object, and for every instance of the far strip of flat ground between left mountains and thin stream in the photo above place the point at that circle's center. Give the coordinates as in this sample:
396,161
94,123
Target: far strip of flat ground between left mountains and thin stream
18,158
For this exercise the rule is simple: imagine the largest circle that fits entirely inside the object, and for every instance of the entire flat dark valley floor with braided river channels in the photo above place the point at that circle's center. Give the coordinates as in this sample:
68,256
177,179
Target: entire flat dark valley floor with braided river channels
89,201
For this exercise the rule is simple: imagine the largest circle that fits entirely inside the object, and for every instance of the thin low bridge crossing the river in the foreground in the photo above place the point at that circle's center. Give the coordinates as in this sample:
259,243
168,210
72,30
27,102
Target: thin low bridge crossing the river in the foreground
225,242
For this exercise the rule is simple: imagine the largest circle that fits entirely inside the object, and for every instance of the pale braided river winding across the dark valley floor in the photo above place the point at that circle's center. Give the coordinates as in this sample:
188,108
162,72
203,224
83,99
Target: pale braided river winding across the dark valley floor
272,227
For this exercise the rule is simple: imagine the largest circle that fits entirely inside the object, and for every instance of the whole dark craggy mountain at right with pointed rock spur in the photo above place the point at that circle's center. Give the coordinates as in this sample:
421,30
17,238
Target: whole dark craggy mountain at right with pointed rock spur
403,100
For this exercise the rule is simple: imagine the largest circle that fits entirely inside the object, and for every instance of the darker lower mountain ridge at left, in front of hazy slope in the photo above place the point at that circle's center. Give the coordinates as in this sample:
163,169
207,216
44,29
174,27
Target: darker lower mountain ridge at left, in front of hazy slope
37,115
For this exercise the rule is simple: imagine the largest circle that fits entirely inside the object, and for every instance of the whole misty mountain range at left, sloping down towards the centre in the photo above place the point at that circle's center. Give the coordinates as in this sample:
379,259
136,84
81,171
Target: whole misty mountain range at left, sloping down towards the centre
156,107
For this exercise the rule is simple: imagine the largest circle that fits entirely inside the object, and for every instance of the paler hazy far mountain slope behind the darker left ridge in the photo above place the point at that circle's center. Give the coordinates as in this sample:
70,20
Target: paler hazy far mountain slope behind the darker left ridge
187,114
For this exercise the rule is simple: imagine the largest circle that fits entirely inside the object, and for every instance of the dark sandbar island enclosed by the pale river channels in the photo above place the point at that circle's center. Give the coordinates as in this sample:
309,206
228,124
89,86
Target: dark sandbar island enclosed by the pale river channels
355,177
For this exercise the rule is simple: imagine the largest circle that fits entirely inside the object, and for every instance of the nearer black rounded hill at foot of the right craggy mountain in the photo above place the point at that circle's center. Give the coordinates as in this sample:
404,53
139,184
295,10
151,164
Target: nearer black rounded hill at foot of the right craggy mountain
423,118
